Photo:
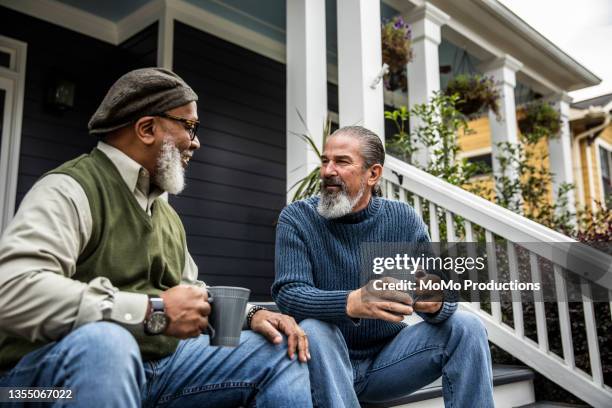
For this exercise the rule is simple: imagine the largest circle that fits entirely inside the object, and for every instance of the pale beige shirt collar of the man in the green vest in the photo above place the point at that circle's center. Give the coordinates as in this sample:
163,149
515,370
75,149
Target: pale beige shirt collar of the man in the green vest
135,176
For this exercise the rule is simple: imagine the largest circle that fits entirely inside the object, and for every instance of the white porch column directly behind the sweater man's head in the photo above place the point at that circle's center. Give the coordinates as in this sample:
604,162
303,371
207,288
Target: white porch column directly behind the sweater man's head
359,63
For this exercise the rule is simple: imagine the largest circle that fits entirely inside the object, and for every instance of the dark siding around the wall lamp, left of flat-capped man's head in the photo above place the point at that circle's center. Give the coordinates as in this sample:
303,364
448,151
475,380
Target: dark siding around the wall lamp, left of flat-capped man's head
51,137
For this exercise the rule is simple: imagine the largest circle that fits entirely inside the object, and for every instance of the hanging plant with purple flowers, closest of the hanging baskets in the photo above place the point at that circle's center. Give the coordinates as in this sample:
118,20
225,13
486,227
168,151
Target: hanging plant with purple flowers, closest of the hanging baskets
397,52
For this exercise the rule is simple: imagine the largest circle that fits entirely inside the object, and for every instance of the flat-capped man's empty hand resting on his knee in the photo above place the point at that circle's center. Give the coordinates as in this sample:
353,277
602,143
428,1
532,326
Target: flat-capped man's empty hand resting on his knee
271,325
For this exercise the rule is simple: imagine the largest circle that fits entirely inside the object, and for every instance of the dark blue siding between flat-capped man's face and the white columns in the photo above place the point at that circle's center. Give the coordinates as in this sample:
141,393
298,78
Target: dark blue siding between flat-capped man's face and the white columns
236,181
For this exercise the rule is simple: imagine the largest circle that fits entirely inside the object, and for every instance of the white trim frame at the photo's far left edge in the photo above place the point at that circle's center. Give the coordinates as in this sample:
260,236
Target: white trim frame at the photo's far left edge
12,80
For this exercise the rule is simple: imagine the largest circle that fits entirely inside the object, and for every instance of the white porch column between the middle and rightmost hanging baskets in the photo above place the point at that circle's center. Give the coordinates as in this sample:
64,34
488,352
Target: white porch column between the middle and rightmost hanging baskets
503,71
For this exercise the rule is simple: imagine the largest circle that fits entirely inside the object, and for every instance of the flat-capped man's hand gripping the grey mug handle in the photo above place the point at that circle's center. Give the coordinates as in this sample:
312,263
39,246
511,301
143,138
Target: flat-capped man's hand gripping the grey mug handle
187,309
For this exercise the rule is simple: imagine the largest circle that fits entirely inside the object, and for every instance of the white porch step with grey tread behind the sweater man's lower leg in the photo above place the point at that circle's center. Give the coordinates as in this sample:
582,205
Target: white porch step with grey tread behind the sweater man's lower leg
512,387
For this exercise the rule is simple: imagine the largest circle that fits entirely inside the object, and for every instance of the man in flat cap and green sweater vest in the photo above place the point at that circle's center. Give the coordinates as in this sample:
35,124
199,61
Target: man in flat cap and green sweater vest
94,252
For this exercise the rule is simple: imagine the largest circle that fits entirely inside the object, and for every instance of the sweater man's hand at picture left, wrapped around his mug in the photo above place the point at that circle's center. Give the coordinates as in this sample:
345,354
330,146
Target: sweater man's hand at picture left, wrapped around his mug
369,303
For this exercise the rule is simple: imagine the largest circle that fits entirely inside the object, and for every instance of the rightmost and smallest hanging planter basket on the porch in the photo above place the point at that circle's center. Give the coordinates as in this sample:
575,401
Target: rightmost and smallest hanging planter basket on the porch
539,120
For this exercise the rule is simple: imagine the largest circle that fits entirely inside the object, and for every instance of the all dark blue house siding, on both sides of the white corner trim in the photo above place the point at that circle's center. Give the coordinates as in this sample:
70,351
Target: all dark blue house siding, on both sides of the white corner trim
236,182
